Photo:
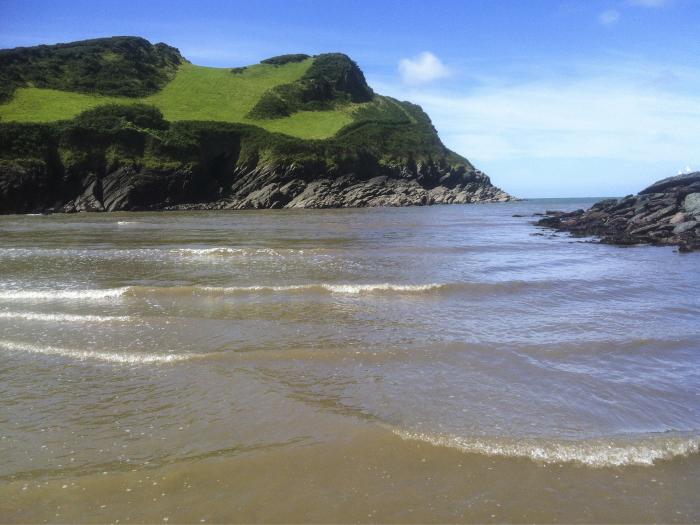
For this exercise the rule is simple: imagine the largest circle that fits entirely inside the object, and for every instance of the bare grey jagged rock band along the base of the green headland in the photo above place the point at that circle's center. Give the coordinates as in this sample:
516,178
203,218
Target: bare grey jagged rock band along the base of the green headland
133,188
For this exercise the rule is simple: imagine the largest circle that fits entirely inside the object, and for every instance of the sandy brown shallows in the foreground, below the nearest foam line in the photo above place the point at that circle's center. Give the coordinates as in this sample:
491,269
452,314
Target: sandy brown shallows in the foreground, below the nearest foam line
354,479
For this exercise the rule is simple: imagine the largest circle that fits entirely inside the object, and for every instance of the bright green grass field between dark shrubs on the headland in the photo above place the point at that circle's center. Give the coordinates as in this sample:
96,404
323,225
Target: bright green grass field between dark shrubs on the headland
196,93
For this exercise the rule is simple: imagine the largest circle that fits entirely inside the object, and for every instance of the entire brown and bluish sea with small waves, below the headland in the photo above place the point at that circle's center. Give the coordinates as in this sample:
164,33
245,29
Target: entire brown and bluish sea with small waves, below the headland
438,364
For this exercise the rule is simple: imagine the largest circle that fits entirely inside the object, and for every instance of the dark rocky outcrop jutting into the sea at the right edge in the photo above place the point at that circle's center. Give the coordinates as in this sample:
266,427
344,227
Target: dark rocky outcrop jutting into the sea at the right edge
665,213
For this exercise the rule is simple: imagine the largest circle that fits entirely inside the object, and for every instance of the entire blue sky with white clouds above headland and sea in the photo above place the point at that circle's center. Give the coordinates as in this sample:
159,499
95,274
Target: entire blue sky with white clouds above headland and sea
551,98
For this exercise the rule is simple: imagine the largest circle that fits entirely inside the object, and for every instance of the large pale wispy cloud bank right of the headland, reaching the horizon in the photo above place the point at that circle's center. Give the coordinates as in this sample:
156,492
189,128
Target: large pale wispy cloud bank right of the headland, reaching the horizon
608,128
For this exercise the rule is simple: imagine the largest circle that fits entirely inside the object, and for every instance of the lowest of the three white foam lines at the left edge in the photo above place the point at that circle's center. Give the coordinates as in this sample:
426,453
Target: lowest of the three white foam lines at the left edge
110,357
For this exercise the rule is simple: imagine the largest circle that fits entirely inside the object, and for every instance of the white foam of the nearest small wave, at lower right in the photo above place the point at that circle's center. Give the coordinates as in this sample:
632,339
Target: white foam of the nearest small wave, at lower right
594,453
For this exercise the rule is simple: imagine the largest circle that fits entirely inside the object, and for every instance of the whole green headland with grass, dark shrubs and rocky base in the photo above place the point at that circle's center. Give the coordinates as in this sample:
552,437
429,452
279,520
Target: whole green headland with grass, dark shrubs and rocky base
122,115
